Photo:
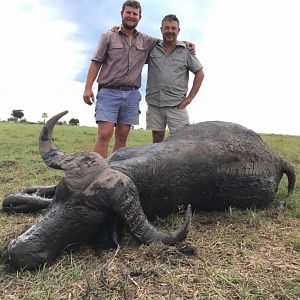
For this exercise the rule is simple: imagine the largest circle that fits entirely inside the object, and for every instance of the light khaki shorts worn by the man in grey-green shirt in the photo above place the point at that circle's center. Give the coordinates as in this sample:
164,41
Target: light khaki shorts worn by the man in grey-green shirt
158,118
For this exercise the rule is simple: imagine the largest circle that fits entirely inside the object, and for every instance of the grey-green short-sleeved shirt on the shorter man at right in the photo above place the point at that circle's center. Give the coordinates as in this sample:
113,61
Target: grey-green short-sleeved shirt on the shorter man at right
168,74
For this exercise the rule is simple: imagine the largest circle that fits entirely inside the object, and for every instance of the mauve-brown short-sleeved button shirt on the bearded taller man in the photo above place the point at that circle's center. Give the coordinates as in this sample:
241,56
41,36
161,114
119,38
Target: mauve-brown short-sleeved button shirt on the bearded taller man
122,62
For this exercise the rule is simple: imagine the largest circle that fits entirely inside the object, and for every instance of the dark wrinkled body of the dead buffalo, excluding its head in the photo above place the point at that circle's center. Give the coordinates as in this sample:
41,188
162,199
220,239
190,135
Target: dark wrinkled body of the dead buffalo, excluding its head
211,165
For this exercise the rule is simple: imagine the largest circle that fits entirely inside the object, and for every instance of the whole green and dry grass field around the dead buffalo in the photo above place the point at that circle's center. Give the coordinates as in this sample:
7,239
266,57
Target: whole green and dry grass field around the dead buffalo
253,254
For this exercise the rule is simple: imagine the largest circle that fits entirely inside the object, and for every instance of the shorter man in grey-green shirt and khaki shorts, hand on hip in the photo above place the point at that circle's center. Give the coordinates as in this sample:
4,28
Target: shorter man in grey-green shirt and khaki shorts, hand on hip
169,63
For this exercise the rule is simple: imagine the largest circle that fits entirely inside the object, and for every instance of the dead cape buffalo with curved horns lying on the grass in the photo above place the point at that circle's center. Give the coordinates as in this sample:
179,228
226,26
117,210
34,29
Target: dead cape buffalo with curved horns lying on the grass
210,165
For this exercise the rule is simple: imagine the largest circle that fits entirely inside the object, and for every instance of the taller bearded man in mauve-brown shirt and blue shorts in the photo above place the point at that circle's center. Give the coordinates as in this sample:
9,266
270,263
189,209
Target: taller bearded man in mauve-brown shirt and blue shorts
118,62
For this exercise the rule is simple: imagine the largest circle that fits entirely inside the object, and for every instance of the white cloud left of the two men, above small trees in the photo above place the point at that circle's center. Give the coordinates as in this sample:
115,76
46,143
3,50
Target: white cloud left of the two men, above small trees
39,61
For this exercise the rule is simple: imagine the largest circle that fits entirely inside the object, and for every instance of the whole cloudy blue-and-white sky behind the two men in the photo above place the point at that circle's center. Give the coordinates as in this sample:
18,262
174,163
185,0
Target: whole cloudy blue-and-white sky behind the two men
250,50
